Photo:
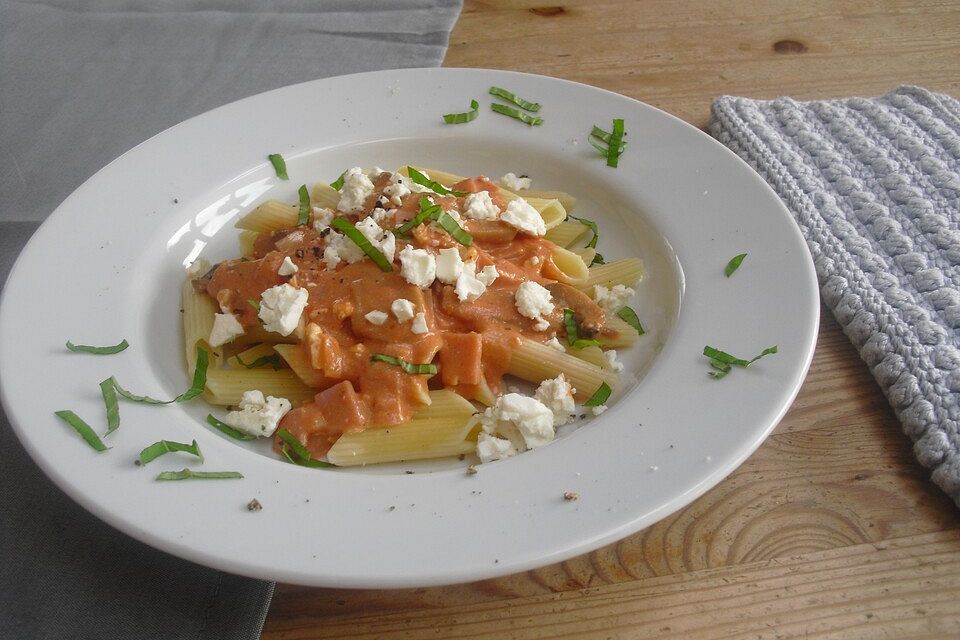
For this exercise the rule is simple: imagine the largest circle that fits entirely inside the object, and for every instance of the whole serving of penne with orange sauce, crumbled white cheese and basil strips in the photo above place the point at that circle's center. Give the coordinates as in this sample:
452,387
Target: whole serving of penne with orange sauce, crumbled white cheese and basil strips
377,320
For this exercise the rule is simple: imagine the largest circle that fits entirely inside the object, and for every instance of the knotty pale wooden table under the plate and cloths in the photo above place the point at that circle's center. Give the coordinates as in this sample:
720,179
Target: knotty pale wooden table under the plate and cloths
832,528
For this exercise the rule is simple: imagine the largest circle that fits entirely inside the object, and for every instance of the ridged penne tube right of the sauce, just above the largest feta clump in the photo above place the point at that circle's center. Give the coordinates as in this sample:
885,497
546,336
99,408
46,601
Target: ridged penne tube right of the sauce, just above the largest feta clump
536,362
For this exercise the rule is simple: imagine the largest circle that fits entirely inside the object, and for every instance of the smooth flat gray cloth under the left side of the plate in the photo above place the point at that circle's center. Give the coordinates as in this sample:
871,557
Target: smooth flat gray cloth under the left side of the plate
81,82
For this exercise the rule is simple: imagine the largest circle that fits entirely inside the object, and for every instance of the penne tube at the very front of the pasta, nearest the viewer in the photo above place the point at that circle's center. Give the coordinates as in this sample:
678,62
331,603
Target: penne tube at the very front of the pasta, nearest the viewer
438,430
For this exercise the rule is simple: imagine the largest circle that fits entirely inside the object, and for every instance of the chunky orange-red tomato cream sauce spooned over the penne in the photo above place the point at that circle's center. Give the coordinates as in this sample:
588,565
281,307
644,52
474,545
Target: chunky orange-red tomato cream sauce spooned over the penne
470,342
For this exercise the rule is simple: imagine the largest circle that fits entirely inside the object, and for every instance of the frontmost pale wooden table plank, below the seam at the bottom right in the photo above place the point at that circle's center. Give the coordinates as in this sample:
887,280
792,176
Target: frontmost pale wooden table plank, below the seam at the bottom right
903,588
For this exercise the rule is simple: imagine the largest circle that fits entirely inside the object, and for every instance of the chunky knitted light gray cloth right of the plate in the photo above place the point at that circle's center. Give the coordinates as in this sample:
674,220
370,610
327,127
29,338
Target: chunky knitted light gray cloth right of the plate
875,186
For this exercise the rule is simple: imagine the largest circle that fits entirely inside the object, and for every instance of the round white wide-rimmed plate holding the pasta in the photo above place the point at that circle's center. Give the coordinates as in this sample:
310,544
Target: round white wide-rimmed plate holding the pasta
109,262
